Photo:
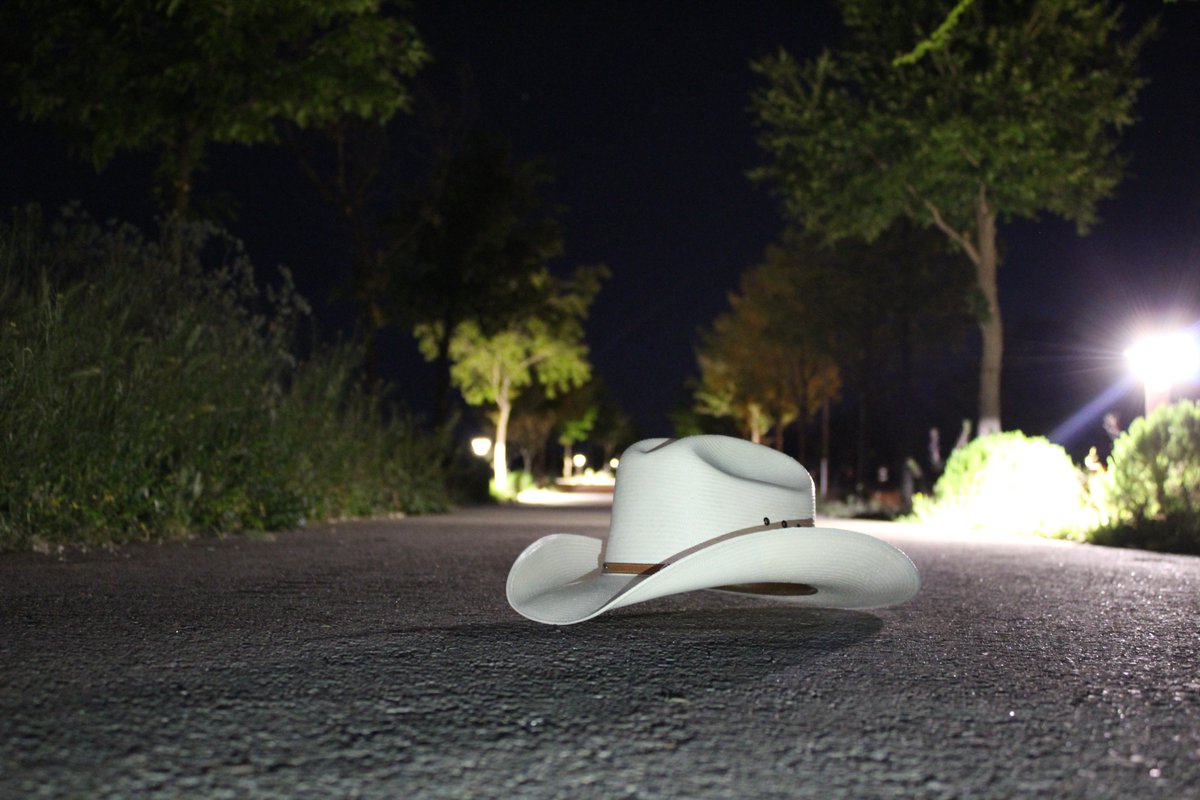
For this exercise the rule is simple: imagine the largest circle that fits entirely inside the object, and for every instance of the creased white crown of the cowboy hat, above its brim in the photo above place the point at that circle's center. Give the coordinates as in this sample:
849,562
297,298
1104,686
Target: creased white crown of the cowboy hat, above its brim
674,495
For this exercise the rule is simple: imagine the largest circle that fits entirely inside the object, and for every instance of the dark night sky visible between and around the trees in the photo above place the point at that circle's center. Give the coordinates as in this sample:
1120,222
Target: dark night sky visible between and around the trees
640,109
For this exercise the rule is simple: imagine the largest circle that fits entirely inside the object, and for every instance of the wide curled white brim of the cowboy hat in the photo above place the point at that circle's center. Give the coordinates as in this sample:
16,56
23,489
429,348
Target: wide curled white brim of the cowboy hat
560,579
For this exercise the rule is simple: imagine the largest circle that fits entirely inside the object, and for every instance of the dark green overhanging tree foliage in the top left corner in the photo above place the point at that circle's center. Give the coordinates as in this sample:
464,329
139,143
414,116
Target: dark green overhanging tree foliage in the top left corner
171,79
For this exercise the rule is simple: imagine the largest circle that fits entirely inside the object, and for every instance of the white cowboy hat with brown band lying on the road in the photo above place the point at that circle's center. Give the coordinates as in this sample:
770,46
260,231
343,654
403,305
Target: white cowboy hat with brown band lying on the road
707,513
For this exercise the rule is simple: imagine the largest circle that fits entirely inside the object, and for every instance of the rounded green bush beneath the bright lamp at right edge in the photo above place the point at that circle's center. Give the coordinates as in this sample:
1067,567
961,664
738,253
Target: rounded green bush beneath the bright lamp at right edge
1151,492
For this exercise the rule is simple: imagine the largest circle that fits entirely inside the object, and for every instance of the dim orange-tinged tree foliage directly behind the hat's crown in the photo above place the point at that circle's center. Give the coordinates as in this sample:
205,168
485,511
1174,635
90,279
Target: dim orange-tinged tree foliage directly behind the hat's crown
811,318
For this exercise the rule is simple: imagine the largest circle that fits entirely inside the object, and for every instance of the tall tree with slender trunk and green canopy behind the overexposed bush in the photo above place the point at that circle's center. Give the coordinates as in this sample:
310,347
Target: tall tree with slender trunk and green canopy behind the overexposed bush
1018,112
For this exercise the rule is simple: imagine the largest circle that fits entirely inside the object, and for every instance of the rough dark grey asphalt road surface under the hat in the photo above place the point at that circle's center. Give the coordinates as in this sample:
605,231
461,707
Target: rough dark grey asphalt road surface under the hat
380,659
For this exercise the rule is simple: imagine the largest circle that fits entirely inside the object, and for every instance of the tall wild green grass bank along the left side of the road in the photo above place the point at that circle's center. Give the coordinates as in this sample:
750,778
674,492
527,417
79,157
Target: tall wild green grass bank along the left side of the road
152,389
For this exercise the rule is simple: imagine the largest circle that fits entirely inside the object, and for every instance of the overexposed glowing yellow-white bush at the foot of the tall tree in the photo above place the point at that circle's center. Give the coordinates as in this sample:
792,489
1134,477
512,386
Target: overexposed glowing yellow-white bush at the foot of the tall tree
1010,483
